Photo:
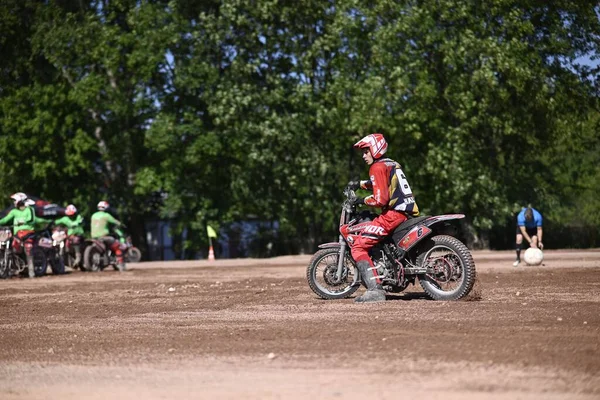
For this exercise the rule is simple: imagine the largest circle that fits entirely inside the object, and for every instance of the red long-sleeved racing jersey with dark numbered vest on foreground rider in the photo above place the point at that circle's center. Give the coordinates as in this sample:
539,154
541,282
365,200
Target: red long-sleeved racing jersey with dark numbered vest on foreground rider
390,187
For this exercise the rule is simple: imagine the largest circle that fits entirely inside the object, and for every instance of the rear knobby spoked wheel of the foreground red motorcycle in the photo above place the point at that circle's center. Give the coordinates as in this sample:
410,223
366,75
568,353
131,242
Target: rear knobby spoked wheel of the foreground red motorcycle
450,269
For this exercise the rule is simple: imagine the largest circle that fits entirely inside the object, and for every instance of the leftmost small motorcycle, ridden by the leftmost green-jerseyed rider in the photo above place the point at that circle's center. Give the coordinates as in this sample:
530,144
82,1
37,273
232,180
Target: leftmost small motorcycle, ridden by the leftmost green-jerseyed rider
13,260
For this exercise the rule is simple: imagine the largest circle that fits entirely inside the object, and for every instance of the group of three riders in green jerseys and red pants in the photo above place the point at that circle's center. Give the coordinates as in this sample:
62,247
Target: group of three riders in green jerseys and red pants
26,224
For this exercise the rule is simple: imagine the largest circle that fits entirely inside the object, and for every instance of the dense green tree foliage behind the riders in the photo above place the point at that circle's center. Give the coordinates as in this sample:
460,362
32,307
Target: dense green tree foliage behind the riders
210,112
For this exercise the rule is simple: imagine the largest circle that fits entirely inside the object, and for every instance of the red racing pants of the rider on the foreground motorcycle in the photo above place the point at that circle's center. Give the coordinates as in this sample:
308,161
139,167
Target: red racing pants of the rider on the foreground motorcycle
372,233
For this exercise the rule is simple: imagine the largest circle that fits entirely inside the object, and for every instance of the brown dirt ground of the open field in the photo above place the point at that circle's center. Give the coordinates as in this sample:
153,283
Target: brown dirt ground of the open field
252,329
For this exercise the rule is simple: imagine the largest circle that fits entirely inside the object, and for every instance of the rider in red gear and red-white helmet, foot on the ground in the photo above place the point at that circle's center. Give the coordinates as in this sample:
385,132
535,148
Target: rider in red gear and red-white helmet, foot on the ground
391,193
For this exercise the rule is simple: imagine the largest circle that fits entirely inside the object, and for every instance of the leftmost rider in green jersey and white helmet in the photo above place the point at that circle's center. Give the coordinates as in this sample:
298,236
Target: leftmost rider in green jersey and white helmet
24,221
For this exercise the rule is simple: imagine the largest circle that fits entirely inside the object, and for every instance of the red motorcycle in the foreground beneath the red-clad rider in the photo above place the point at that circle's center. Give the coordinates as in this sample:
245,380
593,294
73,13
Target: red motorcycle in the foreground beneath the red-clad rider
423,248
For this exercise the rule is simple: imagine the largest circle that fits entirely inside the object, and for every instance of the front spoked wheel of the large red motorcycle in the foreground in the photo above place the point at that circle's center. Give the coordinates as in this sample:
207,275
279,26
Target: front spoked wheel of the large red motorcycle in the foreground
322,275
